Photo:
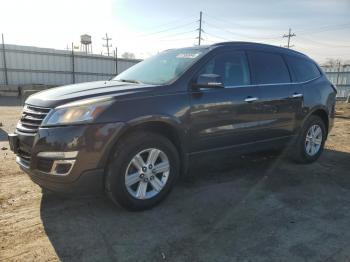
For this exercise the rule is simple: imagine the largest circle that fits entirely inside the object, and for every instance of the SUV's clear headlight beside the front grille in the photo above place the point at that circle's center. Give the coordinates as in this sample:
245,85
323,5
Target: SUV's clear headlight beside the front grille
77,112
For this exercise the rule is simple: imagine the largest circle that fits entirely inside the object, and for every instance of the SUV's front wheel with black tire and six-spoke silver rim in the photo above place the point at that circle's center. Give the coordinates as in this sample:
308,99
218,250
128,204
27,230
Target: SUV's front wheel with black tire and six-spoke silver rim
142,170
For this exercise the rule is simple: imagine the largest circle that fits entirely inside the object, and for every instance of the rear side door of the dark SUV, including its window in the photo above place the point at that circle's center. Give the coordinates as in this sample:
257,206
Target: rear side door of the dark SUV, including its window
280,98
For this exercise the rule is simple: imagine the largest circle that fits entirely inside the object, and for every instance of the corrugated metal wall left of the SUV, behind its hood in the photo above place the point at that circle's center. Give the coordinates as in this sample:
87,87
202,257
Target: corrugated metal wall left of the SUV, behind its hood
33,65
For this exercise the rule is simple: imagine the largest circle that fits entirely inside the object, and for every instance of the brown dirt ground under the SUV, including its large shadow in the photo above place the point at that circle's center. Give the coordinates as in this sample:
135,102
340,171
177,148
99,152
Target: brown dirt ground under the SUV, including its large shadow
253,208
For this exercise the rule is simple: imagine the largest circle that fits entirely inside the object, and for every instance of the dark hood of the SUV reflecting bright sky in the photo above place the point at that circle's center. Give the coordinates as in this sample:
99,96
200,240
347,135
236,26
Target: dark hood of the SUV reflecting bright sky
60,95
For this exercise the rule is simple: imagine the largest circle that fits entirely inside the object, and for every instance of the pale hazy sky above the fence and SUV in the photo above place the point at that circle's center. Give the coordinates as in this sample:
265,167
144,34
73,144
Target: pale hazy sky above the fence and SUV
322,27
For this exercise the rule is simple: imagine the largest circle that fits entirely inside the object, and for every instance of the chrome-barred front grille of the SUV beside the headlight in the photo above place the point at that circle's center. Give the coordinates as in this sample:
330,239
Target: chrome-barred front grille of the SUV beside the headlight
31,119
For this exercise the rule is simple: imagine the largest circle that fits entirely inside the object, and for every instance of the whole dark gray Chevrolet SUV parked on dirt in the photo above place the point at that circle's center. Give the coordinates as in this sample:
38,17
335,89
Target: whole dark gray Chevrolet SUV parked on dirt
133,135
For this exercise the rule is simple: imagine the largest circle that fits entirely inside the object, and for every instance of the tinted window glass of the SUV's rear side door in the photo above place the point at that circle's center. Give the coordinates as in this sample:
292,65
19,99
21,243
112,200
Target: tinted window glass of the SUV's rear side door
268,68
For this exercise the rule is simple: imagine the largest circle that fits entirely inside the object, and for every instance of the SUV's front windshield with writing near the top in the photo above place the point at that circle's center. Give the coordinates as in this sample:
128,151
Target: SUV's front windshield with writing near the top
162,68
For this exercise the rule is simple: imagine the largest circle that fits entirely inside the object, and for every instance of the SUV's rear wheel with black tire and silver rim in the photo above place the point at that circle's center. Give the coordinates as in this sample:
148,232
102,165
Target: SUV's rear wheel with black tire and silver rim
309,144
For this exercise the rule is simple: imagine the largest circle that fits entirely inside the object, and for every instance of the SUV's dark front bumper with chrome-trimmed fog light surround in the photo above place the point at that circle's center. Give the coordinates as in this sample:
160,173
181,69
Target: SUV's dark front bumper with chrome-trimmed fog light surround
91,145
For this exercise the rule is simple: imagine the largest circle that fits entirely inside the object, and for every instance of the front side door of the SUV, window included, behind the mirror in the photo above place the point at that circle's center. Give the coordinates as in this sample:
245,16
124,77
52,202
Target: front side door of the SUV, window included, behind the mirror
224,117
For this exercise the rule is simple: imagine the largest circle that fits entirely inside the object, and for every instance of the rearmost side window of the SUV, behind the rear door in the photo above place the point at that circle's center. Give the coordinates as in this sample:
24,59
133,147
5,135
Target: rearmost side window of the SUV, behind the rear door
303,69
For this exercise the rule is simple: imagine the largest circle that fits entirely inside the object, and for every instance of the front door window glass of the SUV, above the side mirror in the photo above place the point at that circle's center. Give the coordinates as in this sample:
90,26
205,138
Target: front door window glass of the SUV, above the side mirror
232,67
